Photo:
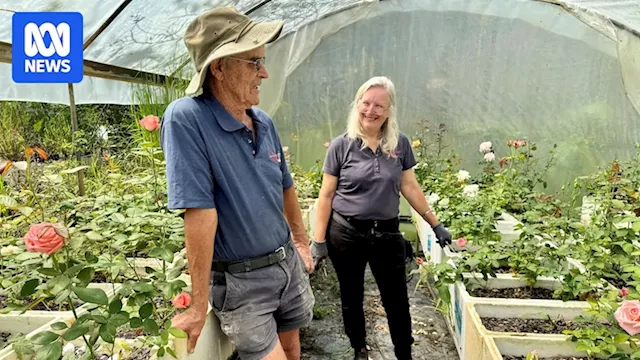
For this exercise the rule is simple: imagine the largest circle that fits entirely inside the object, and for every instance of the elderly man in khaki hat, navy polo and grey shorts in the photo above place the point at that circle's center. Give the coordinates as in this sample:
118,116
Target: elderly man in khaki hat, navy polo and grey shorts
226,167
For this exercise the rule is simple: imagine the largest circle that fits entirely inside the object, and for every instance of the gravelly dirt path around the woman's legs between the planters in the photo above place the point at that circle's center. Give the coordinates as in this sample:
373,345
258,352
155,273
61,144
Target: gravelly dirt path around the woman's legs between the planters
325,338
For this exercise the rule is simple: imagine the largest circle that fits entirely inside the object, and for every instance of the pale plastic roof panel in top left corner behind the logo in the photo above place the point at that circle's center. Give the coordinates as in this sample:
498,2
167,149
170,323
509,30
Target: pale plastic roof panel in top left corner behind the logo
94,12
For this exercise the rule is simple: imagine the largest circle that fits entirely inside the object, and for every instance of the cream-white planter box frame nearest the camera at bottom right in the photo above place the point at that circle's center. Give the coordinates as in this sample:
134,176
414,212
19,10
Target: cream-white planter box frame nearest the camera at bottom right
476,332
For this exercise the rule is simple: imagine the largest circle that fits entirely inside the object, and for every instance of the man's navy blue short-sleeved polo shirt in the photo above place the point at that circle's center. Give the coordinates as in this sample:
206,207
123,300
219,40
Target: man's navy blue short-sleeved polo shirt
213,162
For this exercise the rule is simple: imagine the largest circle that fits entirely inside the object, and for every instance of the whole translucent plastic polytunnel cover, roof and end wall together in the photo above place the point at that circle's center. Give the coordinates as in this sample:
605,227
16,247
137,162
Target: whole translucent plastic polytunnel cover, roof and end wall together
555,72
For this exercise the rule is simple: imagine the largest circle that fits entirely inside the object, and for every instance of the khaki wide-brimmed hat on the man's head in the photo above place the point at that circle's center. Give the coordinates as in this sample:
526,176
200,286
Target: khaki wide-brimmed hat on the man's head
223,32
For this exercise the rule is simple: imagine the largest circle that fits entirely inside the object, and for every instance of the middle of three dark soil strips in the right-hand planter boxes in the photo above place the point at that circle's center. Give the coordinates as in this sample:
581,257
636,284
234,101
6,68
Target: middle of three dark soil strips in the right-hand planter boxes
537,326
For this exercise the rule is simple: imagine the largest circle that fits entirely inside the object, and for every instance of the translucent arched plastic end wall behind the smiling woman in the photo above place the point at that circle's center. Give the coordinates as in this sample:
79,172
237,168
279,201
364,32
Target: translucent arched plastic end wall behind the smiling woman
490,70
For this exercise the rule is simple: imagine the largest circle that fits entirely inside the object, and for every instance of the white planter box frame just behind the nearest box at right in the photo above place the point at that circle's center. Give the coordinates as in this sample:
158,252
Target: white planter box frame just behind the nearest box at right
460,299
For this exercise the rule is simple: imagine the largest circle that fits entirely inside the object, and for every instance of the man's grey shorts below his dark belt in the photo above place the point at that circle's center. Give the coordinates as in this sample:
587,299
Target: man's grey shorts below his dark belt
253,307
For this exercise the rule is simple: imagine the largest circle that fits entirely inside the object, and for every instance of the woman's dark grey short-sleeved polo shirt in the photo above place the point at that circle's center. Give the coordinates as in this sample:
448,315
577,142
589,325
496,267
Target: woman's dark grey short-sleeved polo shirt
368,182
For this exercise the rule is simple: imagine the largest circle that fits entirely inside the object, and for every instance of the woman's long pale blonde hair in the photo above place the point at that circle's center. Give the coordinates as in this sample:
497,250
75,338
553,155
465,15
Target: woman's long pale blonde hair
389,131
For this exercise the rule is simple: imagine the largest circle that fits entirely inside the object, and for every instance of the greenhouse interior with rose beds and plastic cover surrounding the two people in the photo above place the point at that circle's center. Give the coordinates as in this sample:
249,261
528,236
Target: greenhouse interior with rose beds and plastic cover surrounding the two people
522,116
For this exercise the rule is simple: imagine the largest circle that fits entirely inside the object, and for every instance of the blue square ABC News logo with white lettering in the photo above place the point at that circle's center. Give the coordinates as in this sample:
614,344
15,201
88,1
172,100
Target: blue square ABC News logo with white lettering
47,47
